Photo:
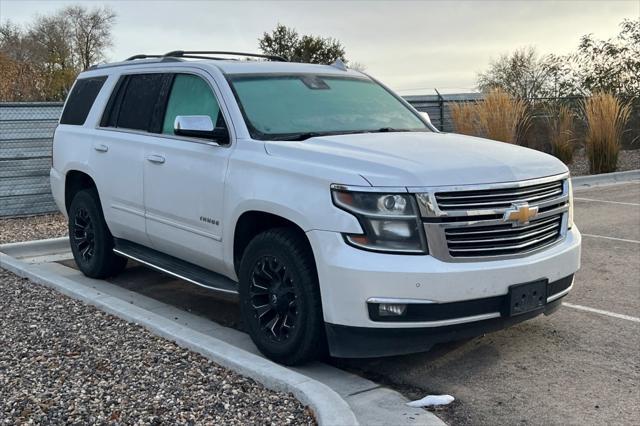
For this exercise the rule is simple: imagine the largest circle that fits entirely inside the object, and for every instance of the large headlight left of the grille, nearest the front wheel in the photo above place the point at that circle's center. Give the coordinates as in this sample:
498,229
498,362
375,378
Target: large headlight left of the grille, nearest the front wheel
390,222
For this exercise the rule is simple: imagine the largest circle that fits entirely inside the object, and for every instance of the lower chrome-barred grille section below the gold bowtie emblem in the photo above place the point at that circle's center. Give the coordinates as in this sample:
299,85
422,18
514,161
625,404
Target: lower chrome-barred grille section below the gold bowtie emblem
503,239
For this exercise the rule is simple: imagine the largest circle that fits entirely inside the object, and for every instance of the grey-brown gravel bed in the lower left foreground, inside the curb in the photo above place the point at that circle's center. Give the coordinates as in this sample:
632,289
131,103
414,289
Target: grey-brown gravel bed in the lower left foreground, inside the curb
65,362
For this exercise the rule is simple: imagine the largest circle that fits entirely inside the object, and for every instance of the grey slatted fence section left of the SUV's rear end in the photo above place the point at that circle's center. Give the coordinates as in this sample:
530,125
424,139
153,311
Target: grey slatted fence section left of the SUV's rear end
26,132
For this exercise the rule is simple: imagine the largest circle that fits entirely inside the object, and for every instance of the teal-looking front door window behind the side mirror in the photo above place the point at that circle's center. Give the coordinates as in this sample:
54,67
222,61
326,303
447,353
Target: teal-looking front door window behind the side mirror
191,95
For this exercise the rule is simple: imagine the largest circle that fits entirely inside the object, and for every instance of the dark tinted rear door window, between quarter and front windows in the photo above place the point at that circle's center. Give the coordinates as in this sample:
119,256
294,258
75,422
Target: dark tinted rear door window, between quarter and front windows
139,101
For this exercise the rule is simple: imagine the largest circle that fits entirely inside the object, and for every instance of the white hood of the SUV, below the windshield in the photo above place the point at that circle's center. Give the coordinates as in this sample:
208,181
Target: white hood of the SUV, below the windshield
421,159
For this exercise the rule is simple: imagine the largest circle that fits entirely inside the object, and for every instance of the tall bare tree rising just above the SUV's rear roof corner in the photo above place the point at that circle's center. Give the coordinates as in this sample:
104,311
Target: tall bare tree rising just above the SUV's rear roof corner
91,33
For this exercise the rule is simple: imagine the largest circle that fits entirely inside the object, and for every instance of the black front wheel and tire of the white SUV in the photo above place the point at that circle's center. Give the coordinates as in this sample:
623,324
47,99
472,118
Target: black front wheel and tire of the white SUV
287,328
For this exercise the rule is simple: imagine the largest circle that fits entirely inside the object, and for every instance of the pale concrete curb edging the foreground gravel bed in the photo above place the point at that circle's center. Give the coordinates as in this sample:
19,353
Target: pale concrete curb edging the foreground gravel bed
328,406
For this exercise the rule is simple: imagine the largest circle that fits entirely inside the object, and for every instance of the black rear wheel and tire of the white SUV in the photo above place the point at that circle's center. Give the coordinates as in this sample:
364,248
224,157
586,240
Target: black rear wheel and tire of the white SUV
90,239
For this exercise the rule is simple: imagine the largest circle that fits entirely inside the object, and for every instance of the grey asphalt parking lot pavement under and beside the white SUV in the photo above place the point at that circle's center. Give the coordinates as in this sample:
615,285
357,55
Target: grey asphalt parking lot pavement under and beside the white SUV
578,366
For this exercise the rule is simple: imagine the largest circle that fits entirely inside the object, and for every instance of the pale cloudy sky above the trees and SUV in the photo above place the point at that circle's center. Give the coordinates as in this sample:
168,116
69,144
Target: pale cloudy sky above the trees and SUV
412,46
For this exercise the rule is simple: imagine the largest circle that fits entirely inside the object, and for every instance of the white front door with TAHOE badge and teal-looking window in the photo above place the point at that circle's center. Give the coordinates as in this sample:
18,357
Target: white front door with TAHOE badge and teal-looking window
184,177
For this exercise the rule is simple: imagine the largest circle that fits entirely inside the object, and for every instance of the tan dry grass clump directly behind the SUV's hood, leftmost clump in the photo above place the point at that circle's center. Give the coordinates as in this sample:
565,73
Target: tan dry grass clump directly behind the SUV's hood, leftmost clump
498,116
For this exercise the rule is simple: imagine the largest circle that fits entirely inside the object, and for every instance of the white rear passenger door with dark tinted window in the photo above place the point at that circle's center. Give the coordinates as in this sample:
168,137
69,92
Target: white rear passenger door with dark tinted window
118,152
